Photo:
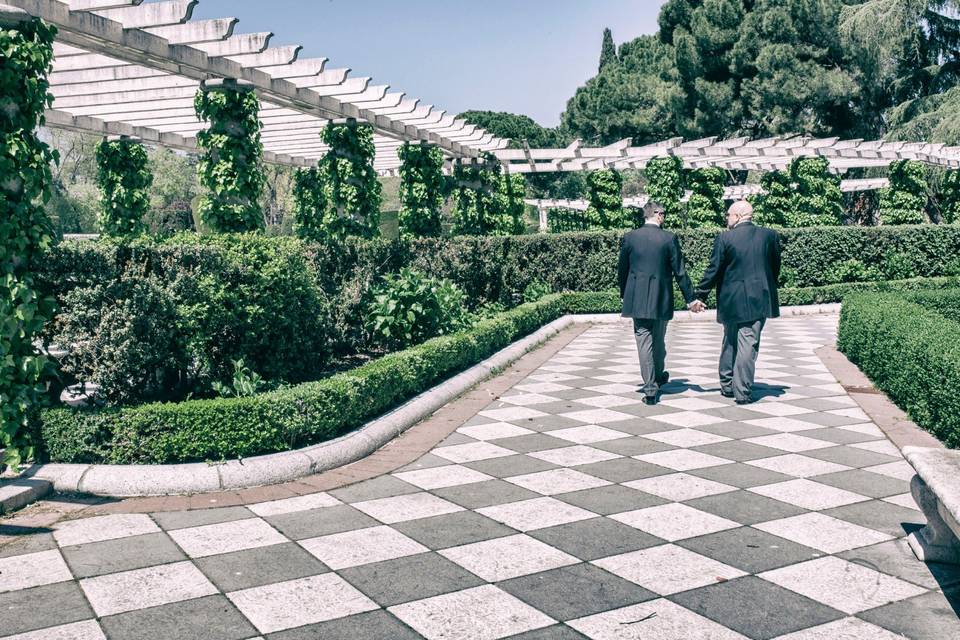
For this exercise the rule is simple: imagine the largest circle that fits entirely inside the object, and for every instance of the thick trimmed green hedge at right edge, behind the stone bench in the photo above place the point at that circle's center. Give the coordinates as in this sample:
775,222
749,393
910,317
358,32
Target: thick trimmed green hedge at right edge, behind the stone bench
909,345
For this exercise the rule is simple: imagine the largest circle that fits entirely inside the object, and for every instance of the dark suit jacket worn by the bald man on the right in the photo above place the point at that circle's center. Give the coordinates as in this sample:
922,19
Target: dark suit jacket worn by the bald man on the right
745,268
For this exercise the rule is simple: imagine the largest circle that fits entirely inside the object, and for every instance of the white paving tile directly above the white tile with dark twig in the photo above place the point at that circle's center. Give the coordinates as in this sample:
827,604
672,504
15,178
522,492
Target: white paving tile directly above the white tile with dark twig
668,569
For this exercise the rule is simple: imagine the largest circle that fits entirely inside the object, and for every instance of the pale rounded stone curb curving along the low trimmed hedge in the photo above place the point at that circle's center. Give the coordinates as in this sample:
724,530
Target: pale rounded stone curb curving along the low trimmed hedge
124,481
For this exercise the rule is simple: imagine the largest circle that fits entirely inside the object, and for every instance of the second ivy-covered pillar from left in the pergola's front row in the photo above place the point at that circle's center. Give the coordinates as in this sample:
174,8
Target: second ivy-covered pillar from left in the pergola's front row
231,167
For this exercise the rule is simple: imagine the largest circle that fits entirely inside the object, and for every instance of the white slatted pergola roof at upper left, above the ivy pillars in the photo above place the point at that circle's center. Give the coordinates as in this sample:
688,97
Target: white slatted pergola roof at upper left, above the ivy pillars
125,67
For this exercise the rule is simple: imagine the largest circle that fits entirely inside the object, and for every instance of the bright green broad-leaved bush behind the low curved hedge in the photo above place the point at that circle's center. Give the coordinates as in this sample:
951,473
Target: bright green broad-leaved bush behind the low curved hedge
410,307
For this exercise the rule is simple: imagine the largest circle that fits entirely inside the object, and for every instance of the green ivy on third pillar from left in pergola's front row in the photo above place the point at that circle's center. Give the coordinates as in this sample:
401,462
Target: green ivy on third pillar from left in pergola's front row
351,190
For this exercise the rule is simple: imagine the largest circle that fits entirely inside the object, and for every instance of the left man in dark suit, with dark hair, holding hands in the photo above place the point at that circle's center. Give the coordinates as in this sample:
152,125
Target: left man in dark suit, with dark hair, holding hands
650,260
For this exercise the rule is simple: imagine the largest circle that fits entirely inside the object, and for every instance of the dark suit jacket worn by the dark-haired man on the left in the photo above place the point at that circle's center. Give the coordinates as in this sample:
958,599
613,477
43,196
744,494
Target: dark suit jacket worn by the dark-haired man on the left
650,259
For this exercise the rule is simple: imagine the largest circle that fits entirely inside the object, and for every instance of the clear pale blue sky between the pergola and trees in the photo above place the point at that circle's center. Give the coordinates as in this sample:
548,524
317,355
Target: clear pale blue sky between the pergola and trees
523,56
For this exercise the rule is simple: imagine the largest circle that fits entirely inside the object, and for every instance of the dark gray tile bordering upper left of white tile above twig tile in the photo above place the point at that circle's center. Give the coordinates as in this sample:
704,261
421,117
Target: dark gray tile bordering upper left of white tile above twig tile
595,538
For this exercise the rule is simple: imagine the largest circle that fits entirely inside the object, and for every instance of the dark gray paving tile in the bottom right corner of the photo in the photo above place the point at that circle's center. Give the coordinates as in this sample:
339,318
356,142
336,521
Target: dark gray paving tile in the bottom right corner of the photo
932,616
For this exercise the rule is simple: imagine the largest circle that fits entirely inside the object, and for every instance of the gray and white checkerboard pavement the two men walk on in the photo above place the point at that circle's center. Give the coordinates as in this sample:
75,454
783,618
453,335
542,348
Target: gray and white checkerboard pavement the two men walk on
565,509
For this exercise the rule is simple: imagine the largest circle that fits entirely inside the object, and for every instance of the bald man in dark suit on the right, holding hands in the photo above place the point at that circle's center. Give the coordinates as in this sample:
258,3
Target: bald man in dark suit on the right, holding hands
745,269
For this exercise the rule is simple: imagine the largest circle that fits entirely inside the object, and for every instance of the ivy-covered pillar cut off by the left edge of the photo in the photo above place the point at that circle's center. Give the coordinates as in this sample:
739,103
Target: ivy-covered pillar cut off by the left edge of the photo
26,53
